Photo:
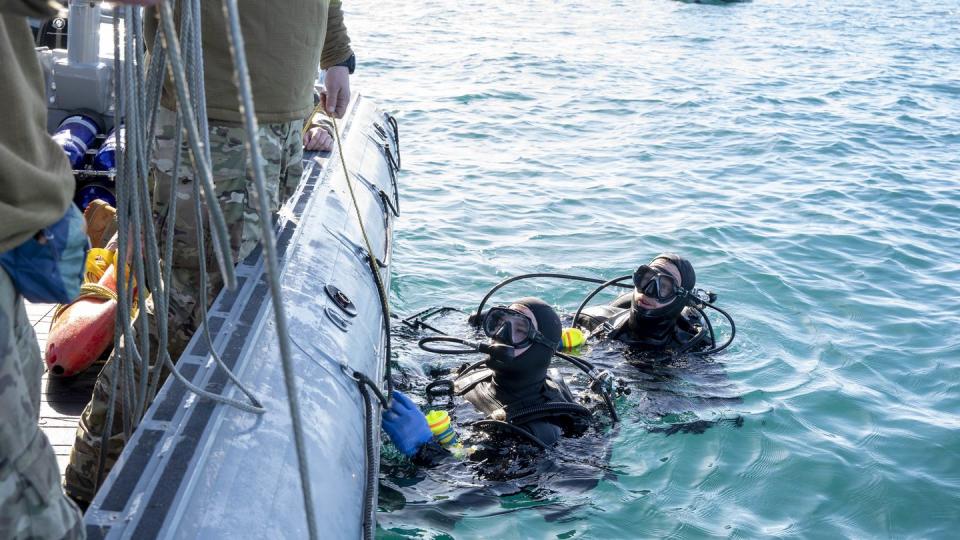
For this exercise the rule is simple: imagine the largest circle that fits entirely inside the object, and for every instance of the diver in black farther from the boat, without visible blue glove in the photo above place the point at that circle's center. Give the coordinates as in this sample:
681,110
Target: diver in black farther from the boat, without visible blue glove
658,315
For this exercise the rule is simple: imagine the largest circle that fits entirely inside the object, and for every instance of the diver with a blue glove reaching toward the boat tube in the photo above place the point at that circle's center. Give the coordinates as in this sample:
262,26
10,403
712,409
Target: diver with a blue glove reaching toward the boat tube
513,389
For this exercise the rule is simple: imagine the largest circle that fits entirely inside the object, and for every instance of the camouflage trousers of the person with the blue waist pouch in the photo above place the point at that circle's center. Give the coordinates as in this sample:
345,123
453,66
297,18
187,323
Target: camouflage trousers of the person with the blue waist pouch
32,504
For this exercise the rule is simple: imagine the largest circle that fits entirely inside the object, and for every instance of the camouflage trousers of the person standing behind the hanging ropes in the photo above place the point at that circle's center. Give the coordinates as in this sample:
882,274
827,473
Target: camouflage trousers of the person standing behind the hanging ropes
282,148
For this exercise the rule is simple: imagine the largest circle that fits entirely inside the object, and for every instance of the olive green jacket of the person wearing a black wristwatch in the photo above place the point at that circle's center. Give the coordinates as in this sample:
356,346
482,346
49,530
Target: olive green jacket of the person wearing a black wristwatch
284,40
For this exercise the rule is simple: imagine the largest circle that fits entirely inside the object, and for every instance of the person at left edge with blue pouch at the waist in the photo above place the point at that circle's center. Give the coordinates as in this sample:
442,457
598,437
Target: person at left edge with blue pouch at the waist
42,252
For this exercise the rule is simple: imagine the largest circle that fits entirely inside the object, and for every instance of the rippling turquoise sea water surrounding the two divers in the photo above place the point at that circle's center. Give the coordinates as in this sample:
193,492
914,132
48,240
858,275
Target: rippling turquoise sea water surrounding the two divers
803,154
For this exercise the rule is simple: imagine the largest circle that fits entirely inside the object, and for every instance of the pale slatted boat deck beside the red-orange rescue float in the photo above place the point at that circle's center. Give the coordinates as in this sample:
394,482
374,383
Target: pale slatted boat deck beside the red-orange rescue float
61,399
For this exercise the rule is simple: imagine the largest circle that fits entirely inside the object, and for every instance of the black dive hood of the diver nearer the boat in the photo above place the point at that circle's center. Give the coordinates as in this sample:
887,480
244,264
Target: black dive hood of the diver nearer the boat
521,377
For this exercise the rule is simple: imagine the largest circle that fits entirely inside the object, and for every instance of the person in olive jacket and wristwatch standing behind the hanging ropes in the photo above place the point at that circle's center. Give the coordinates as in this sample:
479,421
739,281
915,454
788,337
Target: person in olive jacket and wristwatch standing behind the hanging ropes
285,43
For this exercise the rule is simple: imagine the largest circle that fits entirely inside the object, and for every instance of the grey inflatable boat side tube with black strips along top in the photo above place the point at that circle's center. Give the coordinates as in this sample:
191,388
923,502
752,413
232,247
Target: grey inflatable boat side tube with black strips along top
199,469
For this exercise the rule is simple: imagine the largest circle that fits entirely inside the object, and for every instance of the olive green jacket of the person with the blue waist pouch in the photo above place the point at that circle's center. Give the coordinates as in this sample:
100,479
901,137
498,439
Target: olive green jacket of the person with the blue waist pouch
36,184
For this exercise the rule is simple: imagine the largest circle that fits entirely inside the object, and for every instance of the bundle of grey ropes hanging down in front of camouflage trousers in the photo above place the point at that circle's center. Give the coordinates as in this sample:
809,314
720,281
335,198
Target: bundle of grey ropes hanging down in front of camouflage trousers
140,90
